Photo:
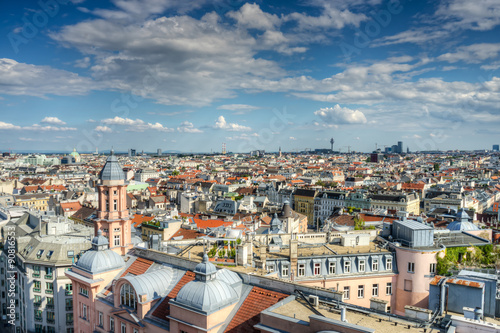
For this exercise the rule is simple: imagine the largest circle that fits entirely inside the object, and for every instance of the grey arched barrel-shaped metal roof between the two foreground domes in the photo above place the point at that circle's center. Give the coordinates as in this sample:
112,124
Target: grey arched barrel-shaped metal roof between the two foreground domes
154,284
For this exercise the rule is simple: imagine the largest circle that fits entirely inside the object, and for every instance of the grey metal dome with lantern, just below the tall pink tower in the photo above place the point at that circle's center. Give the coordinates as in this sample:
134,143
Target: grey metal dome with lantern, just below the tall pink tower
100,259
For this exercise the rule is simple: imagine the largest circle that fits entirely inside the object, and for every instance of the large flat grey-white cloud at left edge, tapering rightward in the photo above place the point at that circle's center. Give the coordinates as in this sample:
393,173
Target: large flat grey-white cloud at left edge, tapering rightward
24,79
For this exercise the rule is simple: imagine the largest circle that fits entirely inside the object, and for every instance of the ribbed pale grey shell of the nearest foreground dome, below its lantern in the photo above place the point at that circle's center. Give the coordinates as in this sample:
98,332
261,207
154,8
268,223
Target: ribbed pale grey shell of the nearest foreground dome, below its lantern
206,296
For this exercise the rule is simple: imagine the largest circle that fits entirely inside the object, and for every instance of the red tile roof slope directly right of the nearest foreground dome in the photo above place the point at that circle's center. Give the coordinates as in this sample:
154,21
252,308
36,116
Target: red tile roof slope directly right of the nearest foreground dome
248,314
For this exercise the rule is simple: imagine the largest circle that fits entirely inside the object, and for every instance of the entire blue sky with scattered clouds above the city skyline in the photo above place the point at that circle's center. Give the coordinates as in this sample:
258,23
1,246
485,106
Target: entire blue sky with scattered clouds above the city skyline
190,75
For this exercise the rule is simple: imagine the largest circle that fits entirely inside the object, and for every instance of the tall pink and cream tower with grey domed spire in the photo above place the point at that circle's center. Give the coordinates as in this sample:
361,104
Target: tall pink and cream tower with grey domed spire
112,215
